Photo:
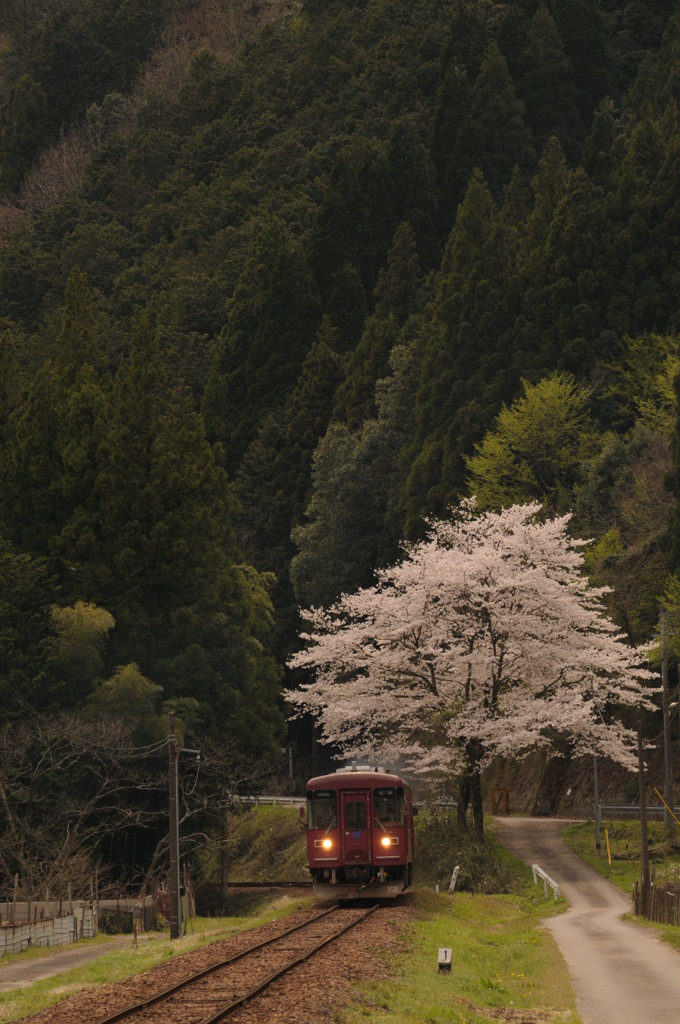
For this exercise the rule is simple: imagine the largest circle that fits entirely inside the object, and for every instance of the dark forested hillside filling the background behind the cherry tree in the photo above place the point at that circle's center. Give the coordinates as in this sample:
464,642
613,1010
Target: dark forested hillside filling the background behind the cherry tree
279,282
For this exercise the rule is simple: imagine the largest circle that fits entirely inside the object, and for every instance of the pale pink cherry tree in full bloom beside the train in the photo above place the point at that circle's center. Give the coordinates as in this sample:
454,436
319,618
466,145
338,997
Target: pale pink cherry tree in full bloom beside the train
486,641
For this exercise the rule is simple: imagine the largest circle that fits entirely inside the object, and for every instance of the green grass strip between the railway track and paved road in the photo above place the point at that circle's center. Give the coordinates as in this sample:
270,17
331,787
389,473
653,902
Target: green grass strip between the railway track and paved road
505,966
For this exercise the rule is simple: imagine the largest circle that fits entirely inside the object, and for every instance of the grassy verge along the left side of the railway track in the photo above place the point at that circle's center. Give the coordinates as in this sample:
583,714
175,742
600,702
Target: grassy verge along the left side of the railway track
129,960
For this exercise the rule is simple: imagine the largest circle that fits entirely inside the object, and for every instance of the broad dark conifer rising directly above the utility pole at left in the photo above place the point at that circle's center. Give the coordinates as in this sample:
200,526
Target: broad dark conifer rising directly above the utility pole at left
195,620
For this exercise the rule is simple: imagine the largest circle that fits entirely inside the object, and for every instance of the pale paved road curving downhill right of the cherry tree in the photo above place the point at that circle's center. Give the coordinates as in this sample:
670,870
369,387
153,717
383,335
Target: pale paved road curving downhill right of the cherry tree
622,973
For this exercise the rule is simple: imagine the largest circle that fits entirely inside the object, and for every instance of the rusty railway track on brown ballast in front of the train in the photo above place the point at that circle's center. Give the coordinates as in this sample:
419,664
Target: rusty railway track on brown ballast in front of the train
216,993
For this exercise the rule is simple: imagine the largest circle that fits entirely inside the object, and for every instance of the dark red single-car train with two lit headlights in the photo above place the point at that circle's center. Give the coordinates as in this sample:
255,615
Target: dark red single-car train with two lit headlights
360,834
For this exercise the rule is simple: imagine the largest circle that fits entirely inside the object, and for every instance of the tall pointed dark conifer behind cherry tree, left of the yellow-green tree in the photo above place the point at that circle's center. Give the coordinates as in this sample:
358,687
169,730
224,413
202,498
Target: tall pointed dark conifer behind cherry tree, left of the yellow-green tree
463,375
